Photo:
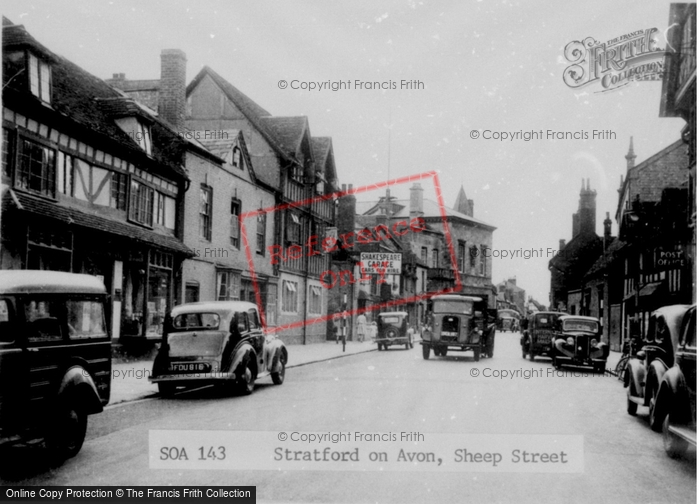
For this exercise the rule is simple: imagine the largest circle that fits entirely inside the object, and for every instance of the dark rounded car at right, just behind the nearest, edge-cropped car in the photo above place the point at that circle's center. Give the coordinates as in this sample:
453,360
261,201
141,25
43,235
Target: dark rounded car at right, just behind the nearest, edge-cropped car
645,370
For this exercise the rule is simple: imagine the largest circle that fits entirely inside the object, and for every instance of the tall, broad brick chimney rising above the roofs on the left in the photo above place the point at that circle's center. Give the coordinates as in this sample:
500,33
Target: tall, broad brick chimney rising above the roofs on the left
173,76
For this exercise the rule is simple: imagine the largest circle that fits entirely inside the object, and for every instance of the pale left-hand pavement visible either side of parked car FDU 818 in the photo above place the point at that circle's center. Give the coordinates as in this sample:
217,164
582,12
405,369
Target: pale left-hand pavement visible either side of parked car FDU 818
130,374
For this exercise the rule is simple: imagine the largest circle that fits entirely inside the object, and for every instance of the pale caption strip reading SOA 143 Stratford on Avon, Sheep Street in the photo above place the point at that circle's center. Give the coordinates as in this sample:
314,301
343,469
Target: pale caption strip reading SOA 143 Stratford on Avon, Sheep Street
365,451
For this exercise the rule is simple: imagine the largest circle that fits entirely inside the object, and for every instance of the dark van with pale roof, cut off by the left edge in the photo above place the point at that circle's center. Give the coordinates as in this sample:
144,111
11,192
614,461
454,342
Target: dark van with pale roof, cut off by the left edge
55,358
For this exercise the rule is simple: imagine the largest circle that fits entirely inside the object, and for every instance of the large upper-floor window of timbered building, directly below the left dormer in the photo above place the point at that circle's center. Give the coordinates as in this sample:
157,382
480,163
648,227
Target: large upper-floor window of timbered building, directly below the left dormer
36,169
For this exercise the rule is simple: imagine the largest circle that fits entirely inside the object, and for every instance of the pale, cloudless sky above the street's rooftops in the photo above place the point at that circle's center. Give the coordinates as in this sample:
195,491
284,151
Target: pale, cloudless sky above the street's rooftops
481,67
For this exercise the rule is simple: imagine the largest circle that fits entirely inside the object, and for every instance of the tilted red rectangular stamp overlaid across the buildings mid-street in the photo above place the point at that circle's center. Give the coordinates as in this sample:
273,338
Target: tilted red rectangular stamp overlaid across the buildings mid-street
385,253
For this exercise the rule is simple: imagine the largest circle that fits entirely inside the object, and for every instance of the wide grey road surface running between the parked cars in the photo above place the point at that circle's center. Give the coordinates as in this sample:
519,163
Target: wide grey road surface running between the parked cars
392,391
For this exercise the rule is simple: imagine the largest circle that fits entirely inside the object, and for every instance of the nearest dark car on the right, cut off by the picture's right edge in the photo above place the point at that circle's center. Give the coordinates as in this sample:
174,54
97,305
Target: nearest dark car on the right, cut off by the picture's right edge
676,401
